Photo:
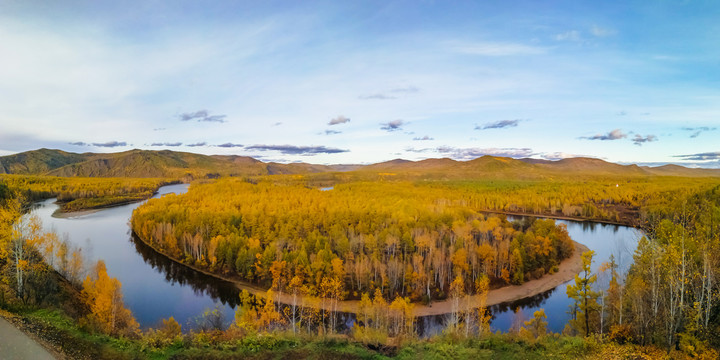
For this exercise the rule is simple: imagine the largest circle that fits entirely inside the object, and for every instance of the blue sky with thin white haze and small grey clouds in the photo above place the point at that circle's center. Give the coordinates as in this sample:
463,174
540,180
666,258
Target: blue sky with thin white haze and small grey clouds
331,82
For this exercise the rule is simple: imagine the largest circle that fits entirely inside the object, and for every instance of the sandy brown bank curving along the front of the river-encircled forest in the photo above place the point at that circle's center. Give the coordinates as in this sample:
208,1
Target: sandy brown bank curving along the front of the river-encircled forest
567,270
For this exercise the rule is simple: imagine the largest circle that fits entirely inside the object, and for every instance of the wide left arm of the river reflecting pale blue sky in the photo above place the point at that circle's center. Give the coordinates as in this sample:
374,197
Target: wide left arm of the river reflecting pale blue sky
152,289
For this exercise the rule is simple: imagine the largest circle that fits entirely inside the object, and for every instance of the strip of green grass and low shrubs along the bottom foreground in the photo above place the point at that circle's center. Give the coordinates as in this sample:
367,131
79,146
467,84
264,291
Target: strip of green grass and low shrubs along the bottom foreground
63,333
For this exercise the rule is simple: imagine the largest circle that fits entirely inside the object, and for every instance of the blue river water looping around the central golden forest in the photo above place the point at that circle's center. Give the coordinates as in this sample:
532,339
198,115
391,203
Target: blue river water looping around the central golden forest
155,287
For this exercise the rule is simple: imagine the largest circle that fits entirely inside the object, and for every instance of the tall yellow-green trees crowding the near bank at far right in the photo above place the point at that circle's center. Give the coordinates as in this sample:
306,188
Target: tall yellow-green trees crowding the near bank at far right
670,296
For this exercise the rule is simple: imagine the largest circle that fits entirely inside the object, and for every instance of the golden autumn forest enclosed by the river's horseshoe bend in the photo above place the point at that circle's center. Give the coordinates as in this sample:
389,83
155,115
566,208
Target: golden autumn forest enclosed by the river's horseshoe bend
402,239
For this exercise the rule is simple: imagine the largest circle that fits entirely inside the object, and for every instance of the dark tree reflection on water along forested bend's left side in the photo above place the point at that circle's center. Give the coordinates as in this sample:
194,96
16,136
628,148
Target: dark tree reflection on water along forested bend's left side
202,284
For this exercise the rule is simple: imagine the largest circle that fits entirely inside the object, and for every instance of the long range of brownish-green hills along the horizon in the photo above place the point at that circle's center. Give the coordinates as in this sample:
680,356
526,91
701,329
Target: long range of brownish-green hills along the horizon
173,164
